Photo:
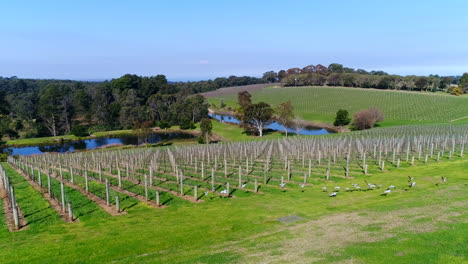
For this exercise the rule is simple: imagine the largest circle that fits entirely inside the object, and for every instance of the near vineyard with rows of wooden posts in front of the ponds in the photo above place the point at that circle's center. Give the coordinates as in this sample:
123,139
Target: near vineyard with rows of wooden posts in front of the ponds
98,186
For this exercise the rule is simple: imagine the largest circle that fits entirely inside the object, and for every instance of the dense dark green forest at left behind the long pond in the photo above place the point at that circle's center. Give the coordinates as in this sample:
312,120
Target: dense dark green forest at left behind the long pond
33,108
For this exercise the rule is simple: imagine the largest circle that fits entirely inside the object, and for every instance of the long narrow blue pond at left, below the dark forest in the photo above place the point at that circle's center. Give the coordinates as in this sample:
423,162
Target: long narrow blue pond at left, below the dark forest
94,143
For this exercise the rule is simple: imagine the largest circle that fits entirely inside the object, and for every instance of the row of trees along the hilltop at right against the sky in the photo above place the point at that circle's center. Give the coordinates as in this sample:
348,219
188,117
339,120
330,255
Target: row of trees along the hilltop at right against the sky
338,75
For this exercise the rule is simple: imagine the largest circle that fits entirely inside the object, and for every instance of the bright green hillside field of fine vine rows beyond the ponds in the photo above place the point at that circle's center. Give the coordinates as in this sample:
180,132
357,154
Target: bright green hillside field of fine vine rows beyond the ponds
320,104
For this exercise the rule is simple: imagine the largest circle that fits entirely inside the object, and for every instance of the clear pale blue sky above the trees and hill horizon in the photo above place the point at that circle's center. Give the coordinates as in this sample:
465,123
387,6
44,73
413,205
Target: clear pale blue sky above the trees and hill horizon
202,39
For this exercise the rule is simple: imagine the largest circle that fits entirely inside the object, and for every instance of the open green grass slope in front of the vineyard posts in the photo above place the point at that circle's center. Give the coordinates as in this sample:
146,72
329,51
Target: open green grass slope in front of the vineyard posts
428,224
